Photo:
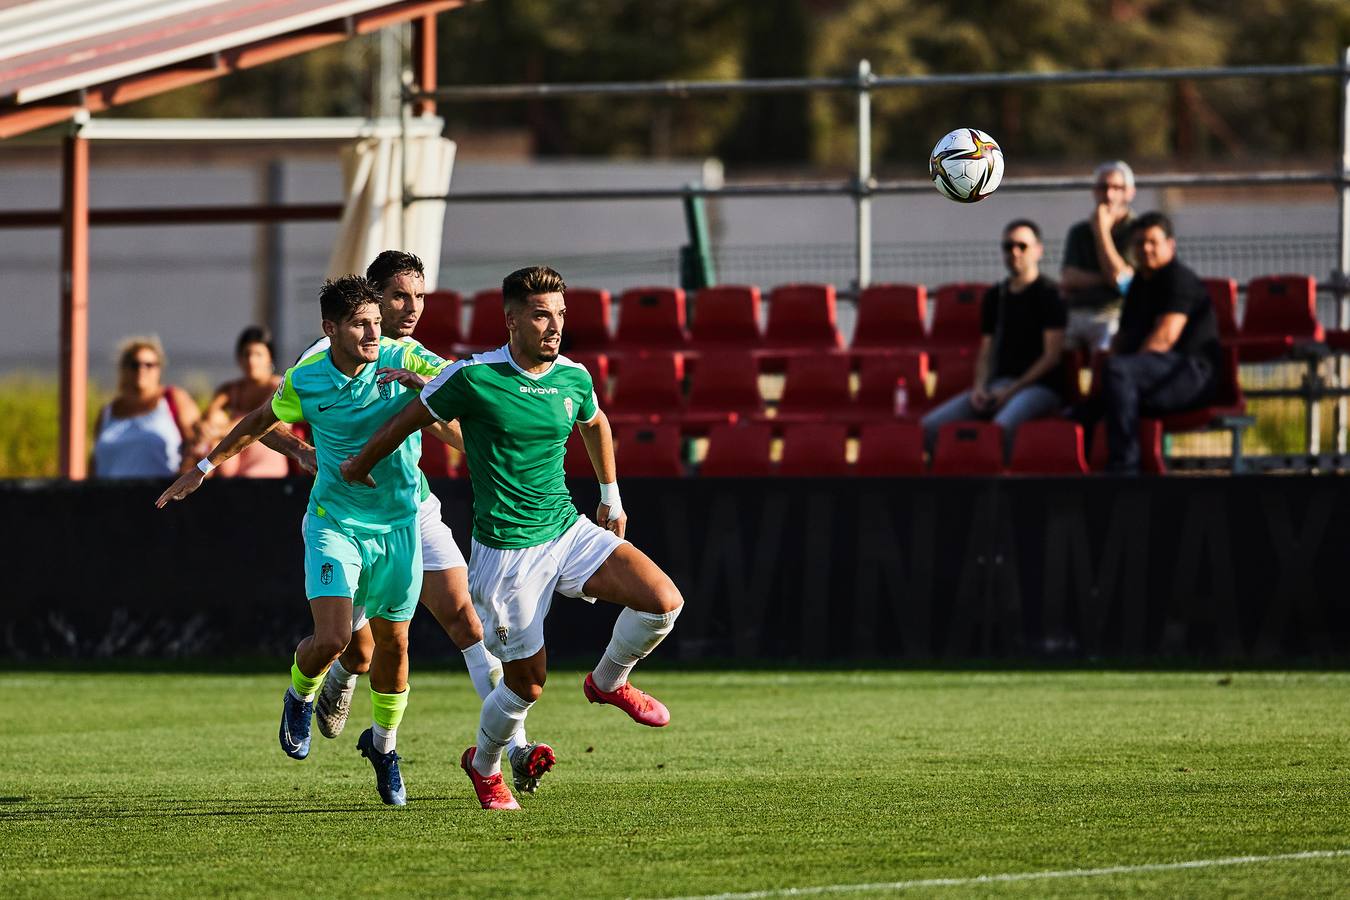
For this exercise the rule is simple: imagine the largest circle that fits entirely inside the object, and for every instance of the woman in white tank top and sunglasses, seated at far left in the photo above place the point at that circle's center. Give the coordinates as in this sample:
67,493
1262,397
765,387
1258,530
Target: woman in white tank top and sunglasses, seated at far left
144,431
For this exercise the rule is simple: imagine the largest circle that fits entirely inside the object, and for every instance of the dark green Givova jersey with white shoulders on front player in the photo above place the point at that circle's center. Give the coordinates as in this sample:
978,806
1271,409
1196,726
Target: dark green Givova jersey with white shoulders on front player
516,428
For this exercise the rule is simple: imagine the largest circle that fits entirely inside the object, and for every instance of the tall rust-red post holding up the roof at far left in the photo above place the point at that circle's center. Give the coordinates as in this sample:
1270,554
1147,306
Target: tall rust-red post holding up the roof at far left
75,303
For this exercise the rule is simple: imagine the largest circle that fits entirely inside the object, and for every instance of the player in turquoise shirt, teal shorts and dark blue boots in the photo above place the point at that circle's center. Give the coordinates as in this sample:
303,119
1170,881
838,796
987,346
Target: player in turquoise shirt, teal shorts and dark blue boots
362,543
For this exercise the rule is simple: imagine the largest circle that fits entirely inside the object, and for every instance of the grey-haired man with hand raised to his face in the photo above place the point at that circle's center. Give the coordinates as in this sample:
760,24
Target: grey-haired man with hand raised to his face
1096,272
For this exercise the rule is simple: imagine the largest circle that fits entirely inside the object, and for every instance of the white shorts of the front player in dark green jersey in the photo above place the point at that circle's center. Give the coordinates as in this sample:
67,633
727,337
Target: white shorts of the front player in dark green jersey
514,589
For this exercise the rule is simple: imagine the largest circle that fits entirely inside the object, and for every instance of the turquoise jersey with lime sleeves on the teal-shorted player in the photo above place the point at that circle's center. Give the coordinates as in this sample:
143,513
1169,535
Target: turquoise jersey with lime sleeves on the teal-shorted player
342,415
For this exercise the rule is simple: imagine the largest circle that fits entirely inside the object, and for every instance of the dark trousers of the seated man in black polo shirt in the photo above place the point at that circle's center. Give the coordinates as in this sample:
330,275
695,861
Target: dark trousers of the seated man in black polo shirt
1148,384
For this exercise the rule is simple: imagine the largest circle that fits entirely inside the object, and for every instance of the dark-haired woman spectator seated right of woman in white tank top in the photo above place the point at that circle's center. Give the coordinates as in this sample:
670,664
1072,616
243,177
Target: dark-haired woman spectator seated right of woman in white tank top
236,400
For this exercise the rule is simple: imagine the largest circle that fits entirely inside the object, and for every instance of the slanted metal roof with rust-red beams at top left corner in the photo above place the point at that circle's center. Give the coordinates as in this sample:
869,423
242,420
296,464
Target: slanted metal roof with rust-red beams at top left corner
61,59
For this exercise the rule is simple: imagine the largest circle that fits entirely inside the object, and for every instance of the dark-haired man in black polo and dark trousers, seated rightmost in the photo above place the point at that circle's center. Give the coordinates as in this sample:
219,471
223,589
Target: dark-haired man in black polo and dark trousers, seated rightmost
1167,353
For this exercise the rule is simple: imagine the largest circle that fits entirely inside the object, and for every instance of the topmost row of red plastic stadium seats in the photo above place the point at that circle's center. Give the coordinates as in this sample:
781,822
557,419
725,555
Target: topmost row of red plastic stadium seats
1280,315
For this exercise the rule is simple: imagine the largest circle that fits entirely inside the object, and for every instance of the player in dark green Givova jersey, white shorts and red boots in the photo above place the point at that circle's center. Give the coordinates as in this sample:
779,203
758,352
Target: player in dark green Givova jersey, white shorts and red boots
516,407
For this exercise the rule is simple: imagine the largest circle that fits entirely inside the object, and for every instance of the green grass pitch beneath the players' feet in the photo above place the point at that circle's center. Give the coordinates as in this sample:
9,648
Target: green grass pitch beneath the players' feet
130,786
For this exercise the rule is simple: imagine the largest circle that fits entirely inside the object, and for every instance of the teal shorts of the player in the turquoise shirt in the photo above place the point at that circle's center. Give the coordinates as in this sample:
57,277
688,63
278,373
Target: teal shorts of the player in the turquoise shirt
380,571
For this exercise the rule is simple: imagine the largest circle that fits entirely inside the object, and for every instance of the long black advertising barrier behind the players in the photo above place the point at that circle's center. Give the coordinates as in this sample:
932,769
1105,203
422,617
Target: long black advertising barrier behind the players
772,570
